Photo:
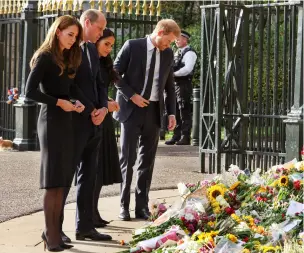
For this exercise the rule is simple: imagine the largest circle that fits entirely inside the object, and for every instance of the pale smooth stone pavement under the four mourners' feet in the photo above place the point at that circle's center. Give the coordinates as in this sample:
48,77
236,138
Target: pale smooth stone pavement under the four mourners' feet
22,235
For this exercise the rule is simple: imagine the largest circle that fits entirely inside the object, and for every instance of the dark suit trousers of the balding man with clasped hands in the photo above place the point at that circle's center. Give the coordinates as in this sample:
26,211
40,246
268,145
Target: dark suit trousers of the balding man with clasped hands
86,154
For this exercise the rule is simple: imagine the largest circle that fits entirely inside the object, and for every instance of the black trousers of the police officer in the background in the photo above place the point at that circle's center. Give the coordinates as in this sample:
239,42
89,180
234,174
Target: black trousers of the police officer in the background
183,90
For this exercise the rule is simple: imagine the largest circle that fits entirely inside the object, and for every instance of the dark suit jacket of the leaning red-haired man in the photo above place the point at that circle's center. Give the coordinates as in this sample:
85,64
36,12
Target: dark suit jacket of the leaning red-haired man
130,63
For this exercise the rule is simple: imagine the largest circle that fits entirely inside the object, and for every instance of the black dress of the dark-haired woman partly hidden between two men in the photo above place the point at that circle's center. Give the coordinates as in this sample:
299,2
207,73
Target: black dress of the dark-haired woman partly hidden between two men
108,164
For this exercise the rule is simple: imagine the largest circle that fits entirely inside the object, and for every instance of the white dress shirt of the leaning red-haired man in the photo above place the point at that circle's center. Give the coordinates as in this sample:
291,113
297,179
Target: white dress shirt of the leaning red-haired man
155,85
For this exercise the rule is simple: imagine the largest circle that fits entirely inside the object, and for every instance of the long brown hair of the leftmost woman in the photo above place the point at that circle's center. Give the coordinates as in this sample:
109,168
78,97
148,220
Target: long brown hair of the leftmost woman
69,58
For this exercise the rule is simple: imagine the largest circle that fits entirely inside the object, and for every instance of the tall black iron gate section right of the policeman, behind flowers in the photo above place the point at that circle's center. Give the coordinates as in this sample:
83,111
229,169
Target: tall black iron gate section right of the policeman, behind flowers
250,83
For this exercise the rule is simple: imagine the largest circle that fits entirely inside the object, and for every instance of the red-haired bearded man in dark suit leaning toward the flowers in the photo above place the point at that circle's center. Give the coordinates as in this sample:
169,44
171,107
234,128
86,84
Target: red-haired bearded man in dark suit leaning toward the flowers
145,66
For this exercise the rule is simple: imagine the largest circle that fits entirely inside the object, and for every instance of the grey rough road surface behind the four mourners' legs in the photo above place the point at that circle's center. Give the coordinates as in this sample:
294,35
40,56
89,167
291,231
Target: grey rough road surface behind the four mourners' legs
19,178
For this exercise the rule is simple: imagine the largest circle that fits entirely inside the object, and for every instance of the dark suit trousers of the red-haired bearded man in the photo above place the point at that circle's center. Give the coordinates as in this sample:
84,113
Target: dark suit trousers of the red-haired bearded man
140,130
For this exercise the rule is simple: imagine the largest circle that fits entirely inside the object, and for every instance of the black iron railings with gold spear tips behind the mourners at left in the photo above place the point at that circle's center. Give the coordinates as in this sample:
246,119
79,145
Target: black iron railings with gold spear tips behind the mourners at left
23,26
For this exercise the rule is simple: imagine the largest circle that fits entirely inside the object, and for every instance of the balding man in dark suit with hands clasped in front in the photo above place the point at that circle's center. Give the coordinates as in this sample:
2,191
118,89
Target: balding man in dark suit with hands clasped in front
87,126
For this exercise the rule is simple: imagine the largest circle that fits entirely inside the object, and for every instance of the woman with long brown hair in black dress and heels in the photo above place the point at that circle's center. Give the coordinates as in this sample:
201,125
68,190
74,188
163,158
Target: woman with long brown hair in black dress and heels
51,82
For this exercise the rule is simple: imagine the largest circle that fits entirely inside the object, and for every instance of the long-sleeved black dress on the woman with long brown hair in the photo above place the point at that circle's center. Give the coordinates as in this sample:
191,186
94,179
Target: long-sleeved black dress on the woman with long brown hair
55,129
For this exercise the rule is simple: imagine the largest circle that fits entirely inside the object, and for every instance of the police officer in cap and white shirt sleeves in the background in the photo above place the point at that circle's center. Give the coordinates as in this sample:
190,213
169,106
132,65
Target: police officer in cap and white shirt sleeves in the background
184,62
